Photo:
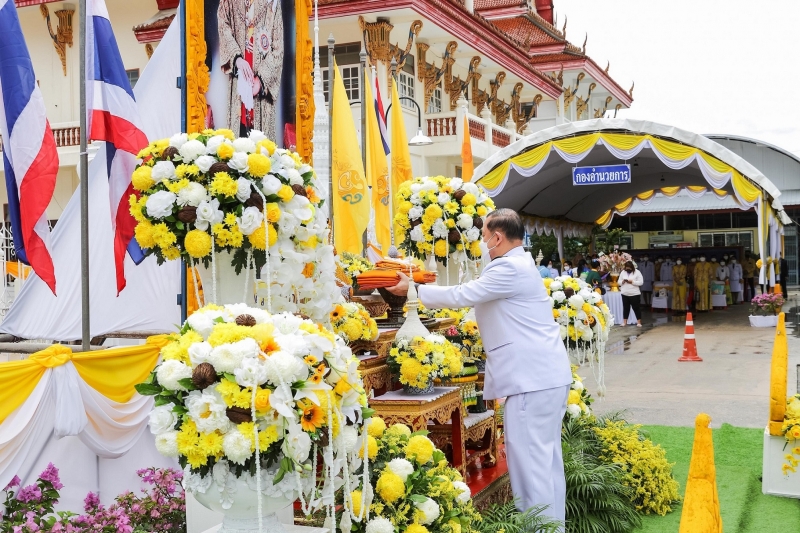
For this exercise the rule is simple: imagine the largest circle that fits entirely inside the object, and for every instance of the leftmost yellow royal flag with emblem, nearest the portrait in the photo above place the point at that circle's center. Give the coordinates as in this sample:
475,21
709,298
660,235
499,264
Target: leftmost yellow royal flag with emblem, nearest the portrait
350,201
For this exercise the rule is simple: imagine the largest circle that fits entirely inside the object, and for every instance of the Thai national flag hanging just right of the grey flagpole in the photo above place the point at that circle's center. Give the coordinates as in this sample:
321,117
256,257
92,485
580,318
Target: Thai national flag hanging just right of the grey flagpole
112,116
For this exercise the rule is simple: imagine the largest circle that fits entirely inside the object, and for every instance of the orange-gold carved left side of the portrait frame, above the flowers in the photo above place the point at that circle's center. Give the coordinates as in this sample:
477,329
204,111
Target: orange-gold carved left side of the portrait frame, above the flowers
197,77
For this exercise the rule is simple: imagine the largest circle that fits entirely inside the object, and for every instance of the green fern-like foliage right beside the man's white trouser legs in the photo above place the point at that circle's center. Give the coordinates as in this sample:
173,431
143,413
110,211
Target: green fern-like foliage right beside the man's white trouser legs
597,499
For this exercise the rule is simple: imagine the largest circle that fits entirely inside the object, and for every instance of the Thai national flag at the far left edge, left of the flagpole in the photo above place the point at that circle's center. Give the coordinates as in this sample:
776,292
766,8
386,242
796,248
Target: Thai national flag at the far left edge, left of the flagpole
30,157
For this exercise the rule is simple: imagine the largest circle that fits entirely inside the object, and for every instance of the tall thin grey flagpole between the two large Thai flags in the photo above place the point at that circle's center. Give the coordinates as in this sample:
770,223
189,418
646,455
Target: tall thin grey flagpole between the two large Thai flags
84,178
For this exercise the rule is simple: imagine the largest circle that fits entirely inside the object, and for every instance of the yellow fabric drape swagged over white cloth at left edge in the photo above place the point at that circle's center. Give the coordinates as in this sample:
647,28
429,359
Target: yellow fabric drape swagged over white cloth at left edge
113,372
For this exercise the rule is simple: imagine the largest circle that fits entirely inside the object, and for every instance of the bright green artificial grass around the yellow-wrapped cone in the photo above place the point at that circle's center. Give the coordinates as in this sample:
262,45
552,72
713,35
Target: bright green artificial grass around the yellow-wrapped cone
737,456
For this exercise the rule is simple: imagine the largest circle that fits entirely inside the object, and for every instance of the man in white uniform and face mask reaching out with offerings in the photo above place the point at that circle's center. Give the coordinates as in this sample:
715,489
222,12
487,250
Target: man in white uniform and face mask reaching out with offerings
526,359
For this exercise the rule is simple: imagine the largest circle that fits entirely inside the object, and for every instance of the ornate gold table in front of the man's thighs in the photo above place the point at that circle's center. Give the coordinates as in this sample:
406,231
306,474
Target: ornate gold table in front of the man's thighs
440,407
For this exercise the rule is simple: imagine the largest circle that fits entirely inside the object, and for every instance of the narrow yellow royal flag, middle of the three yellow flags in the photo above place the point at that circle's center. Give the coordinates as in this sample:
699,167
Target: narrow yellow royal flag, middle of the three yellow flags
377,172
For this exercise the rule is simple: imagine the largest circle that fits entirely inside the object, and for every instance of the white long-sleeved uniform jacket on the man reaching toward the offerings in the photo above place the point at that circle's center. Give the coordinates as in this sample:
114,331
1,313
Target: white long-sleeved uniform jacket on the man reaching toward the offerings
524,350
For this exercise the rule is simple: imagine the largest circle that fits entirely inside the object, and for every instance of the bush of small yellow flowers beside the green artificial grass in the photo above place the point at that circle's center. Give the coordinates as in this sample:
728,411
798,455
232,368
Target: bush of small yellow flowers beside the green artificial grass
647,472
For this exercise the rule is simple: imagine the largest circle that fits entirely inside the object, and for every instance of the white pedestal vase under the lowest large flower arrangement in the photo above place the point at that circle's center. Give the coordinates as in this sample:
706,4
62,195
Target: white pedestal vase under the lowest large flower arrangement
242,516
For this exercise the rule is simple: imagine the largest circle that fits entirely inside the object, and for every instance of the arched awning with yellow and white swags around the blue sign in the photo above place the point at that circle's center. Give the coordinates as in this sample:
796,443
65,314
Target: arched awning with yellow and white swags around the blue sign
528,177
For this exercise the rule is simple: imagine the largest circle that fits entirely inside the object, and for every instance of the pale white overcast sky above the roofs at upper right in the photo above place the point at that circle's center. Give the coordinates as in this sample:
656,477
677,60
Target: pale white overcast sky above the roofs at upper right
708,66
